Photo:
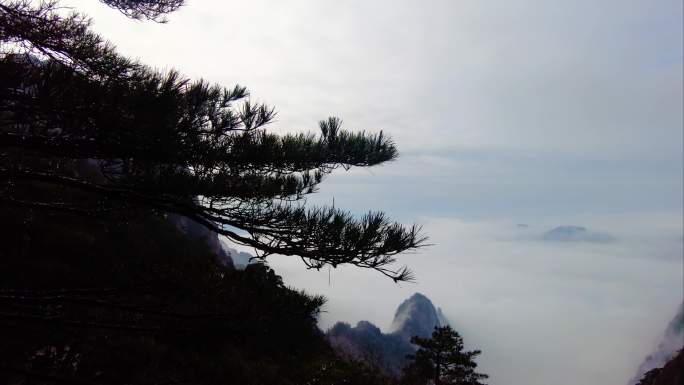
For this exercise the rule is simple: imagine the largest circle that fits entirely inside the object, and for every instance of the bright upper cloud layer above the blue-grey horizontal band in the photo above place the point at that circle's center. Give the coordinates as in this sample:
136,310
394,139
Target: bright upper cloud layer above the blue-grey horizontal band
577,77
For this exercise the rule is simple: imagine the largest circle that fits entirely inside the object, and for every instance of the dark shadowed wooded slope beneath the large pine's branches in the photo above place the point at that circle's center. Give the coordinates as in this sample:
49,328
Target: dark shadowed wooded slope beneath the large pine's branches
143,299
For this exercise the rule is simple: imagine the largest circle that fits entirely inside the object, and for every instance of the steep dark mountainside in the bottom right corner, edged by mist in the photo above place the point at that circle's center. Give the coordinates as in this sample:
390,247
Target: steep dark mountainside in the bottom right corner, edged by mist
671,342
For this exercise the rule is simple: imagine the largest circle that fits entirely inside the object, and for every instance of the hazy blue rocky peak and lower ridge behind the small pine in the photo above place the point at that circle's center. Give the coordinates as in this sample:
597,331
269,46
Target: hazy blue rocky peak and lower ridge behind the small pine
416,316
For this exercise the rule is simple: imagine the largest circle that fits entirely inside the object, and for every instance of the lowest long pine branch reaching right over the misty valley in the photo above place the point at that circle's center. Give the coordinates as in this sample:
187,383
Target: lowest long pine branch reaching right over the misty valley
321,236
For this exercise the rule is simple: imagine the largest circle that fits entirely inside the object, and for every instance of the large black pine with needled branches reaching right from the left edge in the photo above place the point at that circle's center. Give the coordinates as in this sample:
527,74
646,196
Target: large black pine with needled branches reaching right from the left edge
164,143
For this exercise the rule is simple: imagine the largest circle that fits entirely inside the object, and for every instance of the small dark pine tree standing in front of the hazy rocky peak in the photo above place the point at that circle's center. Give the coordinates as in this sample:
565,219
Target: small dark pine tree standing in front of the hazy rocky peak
440,360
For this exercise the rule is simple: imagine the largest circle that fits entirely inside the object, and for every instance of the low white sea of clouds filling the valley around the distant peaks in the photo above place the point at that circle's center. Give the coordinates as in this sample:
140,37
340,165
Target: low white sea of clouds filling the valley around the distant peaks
535,309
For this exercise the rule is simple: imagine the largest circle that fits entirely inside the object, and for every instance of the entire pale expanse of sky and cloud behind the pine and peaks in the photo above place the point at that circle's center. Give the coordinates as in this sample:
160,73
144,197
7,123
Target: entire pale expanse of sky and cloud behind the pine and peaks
542,113
